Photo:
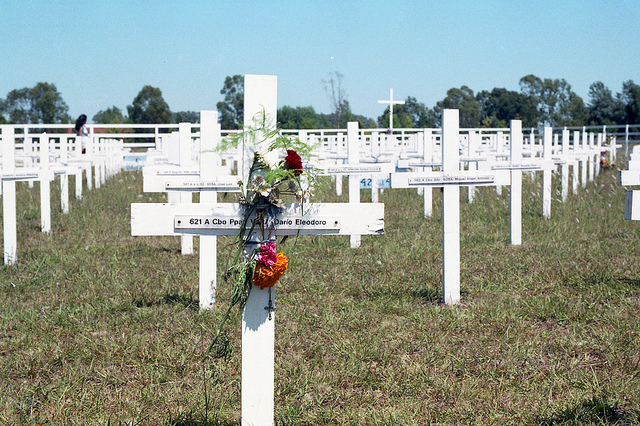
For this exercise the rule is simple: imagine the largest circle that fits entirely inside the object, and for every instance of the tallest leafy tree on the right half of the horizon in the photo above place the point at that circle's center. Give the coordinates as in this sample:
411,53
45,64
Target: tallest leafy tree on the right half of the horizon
557,104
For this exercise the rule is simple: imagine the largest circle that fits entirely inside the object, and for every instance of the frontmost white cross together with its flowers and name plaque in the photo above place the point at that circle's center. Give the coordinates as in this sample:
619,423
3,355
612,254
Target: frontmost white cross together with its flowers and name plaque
260,216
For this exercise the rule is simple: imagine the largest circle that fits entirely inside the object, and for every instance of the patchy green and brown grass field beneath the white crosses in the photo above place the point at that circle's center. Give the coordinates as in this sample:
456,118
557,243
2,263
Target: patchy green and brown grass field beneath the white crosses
98,327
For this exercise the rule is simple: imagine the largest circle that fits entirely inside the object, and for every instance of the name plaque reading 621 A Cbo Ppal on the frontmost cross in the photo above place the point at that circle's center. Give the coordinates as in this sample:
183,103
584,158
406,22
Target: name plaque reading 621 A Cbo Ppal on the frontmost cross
281,222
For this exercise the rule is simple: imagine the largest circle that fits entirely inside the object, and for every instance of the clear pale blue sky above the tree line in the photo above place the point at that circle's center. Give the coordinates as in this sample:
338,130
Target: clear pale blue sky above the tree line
101,53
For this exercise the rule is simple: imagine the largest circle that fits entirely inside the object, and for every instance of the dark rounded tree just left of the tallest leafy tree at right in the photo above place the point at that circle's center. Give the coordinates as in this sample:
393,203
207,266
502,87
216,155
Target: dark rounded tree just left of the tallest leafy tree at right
499,106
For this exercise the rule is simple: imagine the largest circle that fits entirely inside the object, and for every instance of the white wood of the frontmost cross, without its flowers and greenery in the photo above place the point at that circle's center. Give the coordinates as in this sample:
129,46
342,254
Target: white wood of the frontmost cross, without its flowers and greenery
210,219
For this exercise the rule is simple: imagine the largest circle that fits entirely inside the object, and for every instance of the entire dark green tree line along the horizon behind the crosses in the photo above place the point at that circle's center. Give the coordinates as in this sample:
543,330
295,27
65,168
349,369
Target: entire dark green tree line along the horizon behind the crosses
540,102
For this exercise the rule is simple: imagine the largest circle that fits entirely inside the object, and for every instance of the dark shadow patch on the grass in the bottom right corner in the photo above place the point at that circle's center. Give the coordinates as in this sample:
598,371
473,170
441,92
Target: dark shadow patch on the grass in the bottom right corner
593,411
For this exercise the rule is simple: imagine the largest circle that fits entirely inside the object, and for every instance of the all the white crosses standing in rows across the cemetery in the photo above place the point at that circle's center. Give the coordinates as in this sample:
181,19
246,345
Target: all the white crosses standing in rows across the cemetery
272,174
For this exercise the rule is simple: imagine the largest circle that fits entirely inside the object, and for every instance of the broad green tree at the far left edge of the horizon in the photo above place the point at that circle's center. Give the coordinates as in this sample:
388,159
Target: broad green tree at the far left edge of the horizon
41,104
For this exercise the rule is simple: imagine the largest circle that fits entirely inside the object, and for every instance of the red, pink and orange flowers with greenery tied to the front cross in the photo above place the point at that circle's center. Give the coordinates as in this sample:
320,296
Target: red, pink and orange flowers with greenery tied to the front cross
255,261
